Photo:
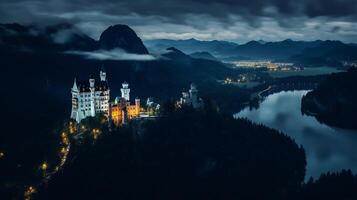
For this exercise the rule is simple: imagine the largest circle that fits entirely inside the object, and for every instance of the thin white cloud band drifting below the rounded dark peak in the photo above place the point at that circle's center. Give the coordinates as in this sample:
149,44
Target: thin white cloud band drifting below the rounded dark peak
115,54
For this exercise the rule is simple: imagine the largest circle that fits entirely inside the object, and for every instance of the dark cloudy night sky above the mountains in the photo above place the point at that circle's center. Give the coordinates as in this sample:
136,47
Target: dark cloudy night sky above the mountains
234,20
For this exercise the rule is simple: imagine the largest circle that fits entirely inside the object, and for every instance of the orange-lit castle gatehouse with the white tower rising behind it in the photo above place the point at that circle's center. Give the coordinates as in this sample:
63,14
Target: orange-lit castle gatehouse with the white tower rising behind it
122,110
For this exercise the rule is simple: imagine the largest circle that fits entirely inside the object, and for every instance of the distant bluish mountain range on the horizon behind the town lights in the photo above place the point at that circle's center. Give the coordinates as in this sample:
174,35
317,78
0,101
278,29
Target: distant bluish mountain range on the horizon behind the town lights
303,52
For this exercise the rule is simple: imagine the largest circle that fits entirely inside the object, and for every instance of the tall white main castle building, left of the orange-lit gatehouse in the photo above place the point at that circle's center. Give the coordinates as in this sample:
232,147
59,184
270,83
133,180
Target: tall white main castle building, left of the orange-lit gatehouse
90,97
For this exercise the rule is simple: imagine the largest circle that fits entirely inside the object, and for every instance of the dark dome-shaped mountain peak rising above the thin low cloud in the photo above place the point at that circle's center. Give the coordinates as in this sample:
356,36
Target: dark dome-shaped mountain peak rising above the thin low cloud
123,37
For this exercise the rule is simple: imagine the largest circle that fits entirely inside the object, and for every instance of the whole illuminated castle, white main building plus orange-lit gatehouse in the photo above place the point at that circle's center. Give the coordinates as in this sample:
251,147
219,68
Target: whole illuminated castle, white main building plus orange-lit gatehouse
92,97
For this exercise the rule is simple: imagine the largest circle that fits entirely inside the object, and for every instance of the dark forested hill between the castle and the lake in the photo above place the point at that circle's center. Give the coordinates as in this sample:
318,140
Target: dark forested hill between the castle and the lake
187,154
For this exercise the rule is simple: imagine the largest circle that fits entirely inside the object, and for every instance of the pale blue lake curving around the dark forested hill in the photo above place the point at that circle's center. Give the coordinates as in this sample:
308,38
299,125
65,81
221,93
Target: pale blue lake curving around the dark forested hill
327,148
